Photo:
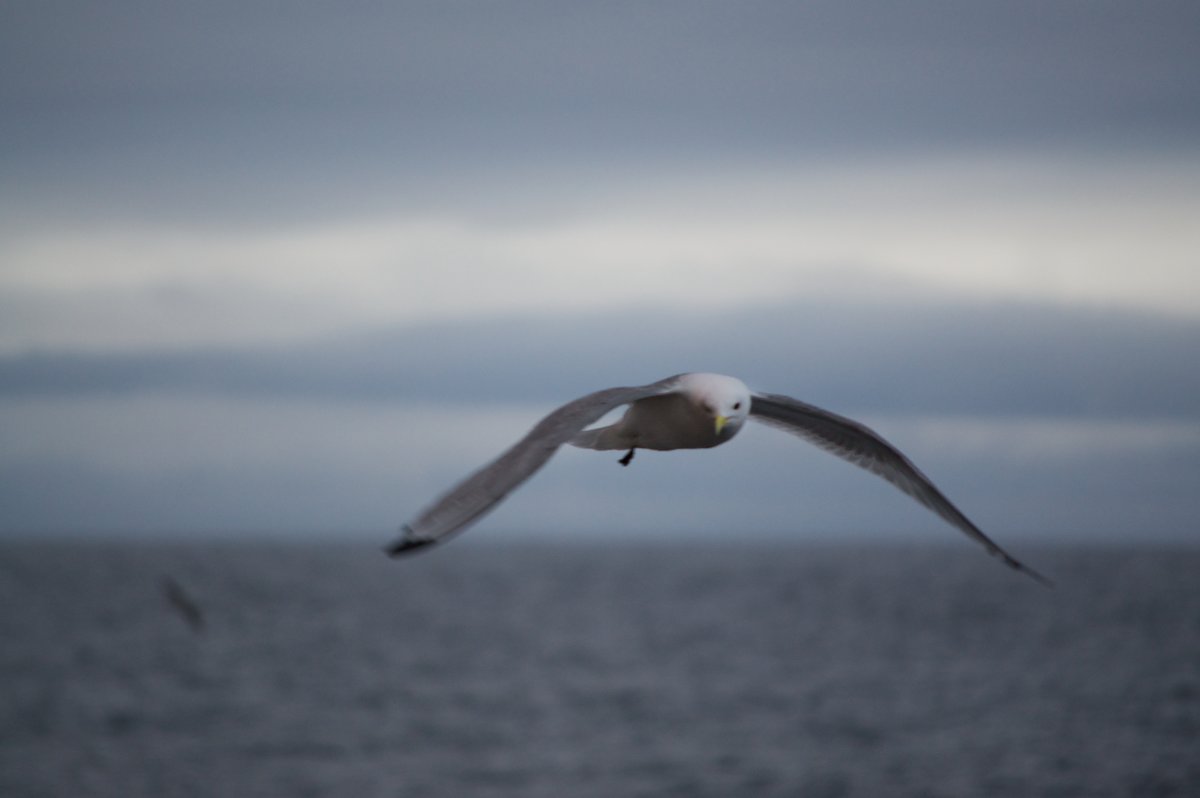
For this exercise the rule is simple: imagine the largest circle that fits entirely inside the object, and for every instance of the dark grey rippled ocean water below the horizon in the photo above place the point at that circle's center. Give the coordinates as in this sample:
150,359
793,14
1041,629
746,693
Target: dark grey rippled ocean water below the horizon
593,670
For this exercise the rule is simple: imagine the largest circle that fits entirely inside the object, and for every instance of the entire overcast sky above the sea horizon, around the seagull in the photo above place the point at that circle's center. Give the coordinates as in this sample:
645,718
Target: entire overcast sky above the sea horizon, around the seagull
296,274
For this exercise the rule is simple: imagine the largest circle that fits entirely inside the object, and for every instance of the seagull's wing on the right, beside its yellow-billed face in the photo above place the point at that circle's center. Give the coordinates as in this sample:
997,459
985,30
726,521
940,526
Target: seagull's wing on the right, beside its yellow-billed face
861,446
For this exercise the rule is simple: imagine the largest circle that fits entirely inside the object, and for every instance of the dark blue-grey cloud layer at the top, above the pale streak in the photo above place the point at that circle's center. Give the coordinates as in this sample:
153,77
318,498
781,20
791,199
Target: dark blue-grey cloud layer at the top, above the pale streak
242,109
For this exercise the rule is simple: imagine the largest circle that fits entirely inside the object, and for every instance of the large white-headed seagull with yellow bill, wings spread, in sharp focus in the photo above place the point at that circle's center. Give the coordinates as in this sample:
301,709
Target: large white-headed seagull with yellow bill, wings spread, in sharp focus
692,411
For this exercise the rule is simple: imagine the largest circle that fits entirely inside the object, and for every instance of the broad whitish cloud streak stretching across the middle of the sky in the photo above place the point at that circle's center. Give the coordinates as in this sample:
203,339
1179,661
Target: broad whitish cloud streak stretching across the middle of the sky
1115,238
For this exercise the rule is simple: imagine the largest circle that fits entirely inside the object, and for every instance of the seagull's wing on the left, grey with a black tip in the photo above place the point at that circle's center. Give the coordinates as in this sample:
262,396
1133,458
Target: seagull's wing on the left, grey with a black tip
472,499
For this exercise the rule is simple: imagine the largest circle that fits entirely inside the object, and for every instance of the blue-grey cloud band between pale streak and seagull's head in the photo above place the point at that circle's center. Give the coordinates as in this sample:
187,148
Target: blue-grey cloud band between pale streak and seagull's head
1005,359
